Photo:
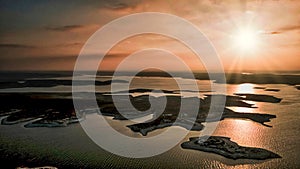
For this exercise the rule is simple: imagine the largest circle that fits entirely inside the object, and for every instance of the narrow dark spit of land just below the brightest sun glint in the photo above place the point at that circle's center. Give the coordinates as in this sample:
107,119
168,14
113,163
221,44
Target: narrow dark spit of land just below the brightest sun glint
259,97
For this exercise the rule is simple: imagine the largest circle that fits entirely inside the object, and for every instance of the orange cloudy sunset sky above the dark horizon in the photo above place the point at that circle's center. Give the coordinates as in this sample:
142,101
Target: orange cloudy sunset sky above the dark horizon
248,35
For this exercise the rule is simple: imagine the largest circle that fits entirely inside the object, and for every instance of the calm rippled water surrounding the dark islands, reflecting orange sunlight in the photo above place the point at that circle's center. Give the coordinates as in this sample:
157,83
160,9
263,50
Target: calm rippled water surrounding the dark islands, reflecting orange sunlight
71,144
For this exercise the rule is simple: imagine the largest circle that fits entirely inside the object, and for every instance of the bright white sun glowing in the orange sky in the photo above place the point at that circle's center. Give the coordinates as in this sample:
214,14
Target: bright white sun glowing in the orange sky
246,40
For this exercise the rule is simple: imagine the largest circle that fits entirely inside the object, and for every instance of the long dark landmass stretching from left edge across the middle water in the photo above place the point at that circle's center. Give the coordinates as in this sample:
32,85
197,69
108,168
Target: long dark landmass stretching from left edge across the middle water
57,110
